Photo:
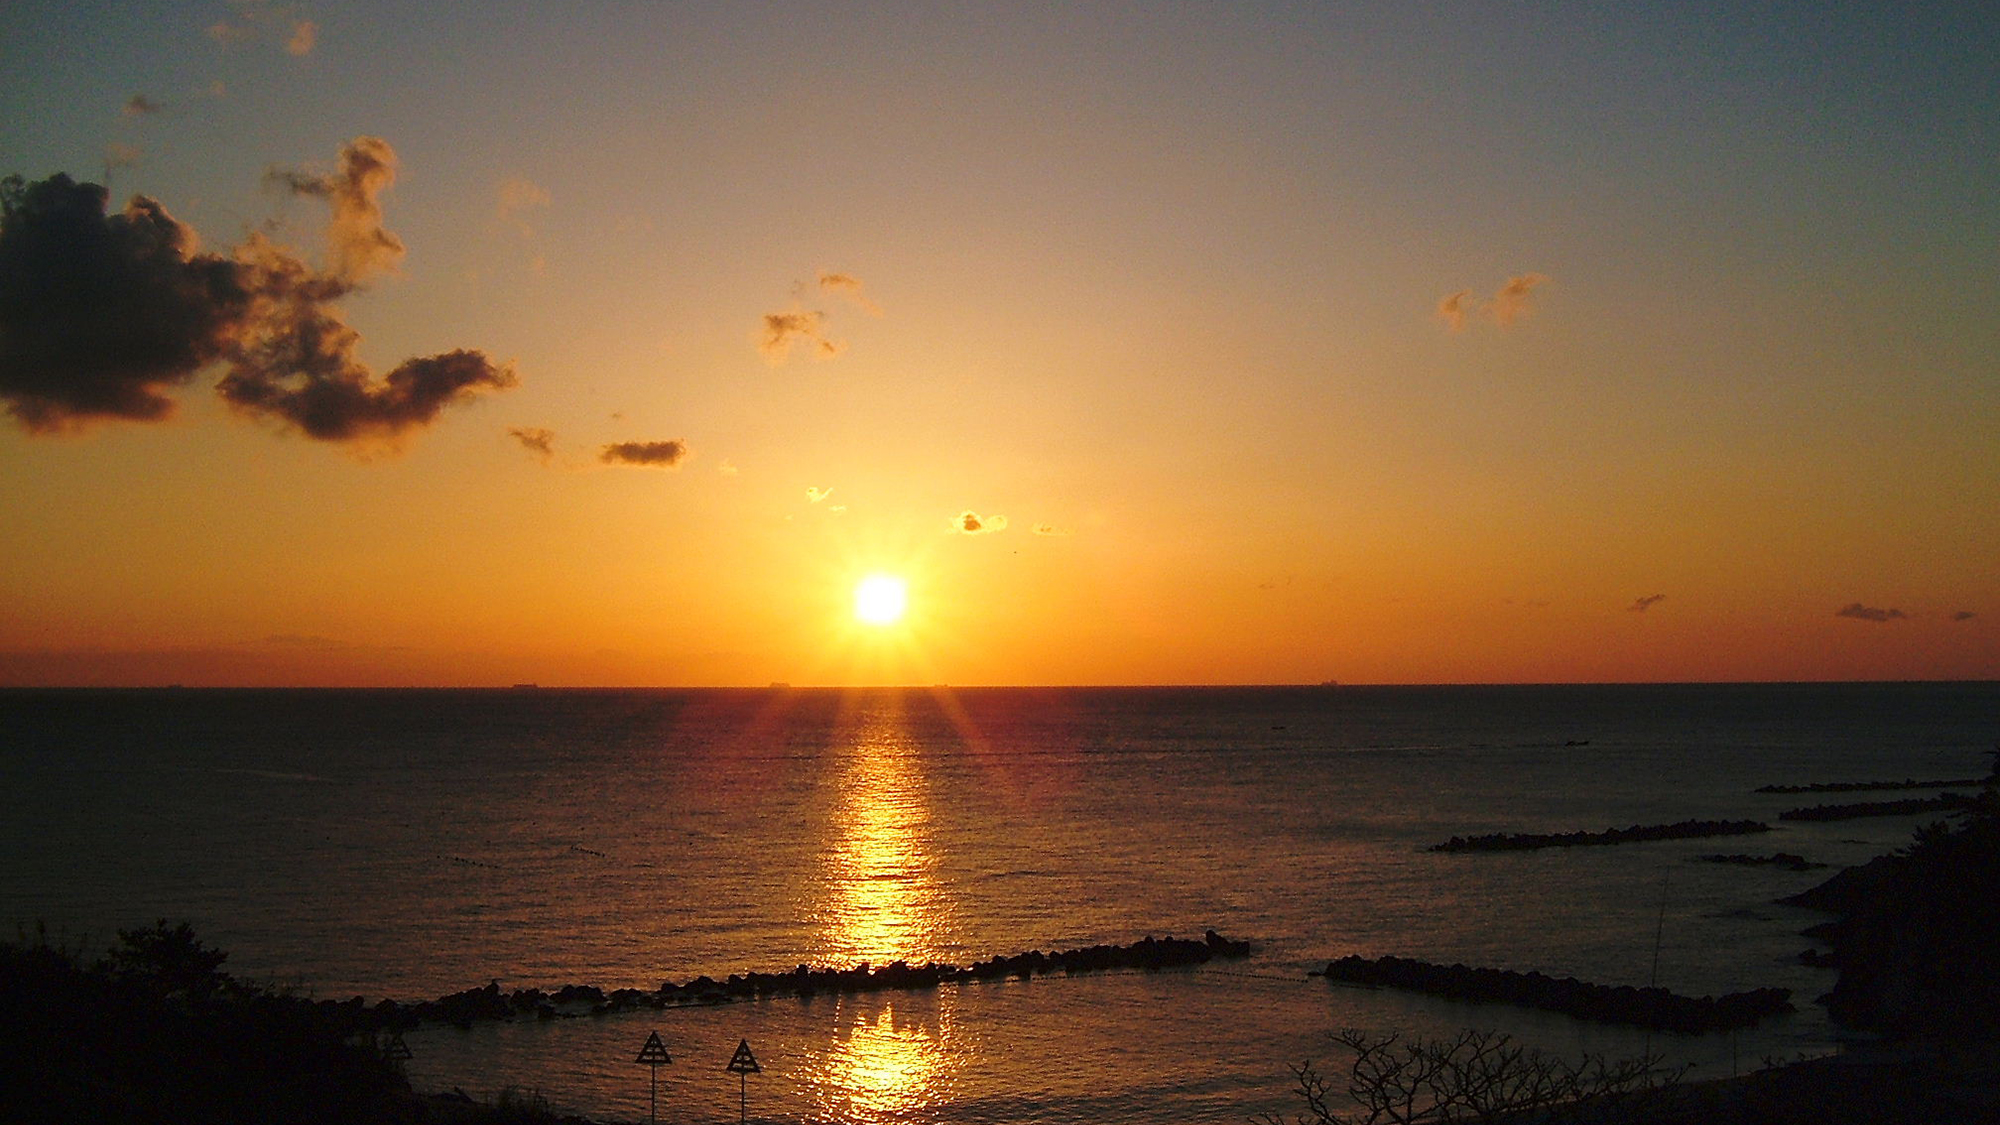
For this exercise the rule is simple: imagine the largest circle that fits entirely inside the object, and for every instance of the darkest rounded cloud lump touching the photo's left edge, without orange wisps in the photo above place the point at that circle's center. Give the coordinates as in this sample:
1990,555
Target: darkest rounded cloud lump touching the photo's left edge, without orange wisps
101,315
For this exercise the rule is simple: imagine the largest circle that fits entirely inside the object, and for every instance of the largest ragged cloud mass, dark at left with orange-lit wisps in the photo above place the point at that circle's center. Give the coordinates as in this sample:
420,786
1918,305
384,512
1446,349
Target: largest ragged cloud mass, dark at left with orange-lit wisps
107,315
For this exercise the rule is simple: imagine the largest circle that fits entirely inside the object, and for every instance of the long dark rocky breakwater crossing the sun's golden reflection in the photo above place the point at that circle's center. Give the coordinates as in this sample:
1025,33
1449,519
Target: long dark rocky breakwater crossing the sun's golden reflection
491,1002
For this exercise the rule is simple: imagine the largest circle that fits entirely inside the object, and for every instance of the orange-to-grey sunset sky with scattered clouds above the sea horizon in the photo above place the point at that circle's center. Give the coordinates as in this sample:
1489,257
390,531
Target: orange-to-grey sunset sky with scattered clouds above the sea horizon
1143,343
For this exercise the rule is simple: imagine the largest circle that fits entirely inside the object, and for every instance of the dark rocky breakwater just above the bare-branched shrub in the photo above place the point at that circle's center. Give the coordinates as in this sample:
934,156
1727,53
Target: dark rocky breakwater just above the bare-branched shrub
1603,1004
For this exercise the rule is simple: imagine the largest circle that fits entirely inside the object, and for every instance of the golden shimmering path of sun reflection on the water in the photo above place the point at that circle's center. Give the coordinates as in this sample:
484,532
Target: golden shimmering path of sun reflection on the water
891,1058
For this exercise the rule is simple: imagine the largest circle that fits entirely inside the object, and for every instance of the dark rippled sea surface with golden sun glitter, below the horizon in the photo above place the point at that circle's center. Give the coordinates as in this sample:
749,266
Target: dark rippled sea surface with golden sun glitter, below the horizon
411,844
